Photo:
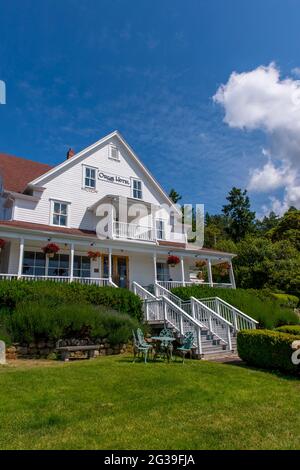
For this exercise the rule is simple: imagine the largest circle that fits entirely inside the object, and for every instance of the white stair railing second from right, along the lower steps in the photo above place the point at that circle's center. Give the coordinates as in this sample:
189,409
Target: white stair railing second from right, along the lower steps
217,325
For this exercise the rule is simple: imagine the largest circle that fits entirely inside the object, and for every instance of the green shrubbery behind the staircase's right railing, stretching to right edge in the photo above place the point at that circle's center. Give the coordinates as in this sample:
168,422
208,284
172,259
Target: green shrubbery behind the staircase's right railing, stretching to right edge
267,311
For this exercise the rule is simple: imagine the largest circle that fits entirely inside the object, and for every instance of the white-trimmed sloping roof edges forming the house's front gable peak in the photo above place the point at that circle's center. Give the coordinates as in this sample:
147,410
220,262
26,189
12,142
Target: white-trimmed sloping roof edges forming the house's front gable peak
107,138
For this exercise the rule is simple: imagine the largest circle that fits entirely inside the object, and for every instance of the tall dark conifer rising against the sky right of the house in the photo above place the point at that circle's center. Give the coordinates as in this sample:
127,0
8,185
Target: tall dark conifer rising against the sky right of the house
240,219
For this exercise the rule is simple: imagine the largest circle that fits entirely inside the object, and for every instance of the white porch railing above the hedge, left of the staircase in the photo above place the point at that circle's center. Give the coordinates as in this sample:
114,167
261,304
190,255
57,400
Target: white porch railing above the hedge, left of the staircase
59,279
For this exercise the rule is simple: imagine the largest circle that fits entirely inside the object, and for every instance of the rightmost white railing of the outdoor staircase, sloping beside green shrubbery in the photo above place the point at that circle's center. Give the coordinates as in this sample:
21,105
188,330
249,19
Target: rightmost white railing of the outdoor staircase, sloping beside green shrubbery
238,319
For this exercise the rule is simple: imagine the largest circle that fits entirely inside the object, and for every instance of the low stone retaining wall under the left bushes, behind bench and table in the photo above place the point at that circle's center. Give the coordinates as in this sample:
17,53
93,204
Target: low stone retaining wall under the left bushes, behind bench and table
45,349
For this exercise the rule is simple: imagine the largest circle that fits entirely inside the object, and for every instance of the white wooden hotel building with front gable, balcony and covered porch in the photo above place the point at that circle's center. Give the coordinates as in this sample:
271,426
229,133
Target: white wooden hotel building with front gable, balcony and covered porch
79,205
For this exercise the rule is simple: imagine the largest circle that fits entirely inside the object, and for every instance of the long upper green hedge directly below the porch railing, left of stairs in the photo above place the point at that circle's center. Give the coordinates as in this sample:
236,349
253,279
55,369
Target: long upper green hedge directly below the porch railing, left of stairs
122,300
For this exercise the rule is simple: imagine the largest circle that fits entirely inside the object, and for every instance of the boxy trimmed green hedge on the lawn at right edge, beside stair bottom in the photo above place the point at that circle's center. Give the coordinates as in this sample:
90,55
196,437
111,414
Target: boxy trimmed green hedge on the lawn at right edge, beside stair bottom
267,349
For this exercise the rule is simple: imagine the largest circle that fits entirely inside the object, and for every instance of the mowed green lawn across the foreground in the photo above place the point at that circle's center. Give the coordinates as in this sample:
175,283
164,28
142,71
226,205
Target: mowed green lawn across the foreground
110,403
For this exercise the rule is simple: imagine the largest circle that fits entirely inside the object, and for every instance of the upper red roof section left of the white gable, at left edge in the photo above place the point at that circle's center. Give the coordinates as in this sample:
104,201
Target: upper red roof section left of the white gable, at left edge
18,172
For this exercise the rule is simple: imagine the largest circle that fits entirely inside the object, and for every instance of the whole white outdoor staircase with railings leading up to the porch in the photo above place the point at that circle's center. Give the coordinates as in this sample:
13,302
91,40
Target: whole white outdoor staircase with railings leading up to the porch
214,322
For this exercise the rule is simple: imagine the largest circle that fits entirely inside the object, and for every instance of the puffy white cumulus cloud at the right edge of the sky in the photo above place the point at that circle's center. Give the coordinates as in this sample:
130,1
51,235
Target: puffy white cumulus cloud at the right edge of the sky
261,99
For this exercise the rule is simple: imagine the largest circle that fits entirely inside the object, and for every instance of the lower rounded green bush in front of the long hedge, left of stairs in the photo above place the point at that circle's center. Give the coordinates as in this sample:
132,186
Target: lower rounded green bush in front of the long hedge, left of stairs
34,321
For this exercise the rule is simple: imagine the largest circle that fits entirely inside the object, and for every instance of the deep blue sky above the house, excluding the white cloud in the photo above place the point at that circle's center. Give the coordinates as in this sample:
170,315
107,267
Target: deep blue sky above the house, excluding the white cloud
76,70
